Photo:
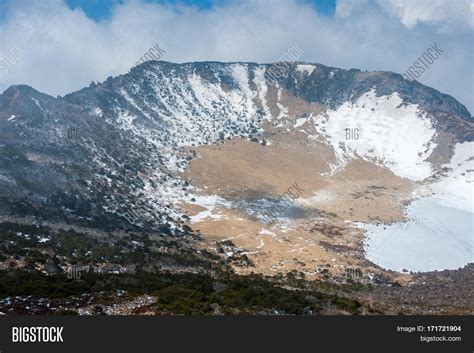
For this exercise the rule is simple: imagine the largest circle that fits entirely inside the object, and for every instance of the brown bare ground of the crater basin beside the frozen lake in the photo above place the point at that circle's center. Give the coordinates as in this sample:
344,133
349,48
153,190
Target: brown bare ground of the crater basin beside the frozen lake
326,238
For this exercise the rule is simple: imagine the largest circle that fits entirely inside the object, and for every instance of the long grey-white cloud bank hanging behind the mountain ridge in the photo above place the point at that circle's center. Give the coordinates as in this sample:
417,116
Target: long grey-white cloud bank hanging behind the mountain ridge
64,50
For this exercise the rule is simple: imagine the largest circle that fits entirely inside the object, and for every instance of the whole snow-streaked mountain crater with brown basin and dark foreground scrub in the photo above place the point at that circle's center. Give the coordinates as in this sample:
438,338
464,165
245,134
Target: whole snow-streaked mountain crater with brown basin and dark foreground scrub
238,175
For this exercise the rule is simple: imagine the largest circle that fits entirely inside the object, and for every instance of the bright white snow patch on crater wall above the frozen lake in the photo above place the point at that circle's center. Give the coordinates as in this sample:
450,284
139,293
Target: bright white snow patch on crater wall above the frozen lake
383,130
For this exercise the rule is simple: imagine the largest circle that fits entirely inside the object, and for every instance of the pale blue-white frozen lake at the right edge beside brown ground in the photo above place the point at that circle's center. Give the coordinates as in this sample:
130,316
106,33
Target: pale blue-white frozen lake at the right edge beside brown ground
435,237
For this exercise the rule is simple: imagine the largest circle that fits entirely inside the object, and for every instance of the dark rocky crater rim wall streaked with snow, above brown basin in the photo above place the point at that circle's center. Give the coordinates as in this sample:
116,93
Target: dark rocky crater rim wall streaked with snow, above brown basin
111,154
